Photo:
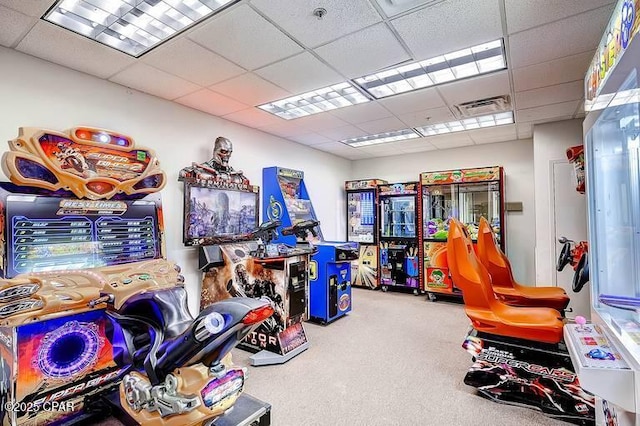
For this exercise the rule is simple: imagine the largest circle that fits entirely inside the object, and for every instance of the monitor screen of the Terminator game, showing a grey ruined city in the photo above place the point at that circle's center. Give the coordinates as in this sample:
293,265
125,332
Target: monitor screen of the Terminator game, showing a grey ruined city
214,213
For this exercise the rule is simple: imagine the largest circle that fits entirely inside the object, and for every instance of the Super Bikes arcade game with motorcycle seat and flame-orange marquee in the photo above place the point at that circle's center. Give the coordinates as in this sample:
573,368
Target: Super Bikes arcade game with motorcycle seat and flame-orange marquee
92,317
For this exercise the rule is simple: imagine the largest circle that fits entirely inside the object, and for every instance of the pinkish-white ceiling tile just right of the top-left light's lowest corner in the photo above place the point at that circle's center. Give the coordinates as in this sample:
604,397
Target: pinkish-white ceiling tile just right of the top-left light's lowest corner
184,58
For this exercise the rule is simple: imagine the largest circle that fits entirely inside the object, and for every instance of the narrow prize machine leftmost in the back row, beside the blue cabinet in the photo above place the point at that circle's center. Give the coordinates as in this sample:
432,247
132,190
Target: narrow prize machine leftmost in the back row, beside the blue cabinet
362,228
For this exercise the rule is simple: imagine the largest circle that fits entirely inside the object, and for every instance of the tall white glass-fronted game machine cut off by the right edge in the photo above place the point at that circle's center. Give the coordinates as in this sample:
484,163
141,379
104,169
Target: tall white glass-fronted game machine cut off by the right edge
606,352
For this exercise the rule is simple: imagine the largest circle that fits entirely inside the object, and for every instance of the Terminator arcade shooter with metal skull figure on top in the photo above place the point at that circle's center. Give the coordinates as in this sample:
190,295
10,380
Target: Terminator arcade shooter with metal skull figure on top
237,257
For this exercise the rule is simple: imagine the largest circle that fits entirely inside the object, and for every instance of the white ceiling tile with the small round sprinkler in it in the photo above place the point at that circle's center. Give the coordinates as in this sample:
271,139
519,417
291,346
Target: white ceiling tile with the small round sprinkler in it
296,17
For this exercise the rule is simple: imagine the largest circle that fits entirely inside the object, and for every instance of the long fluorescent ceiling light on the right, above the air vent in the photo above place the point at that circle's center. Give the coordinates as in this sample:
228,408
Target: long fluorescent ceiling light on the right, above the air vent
476,60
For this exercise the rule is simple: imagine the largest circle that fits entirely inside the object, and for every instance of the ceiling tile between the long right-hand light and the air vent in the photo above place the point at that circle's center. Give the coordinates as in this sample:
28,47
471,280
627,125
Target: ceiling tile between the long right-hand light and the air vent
476,88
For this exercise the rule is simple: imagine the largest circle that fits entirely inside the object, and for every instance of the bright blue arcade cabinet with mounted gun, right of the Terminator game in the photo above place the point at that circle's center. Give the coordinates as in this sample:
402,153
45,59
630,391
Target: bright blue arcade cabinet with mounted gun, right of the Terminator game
286,199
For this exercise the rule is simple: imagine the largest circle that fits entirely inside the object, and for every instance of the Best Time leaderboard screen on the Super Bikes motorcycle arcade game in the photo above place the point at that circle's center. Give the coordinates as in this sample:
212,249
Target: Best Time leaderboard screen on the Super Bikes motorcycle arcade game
51,233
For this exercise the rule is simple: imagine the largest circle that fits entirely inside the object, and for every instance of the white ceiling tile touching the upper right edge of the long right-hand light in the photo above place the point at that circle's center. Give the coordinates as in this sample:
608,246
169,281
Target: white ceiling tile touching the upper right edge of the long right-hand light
450,26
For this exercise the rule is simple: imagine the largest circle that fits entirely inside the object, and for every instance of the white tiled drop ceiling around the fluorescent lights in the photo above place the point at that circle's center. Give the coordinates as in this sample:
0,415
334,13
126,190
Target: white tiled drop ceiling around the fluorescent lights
259,51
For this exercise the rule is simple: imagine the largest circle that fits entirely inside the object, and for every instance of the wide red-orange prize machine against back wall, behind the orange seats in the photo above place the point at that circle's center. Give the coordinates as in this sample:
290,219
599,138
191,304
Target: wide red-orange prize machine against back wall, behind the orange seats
466,195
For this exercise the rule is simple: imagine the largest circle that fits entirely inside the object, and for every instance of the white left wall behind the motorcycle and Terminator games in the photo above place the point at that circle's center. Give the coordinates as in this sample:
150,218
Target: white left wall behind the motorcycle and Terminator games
36,93
